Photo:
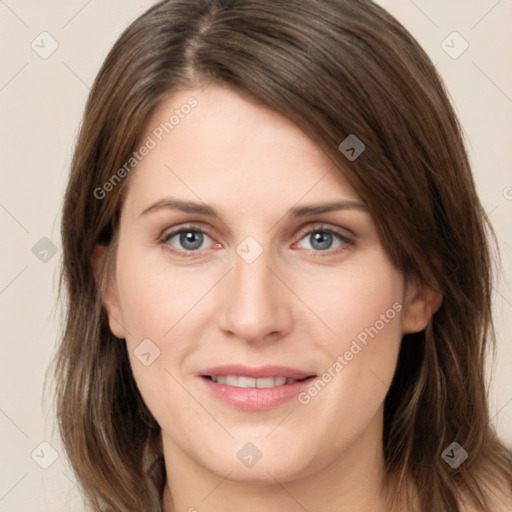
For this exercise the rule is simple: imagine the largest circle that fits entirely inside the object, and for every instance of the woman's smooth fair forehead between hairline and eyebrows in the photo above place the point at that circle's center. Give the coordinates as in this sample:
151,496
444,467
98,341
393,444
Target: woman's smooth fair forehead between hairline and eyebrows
225,149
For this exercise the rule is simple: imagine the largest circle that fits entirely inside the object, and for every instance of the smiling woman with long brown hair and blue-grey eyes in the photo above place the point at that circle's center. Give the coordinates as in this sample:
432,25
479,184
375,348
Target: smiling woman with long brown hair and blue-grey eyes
278,272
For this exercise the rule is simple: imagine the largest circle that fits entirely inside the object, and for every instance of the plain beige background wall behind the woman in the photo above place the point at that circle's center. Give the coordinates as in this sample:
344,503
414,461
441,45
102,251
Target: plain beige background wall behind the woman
41,102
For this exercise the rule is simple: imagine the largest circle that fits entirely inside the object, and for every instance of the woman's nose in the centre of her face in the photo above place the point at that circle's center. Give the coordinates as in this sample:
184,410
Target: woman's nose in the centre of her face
255,305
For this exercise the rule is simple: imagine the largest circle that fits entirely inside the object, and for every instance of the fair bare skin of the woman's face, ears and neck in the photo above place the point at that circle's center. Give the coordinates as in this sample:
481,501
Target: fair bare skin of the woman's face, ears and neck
295,305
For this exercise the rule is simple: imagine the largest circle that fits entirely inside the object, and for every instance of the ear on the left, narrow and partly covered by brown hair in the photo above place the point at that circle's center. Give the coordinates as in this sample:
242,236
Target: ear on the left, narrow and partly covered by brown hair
109,297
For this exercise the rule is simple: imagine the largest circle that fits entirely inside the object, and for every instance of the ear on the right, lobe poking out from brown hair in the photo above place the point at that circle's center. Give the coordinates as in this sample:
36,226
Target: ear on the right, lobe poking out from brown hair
420,304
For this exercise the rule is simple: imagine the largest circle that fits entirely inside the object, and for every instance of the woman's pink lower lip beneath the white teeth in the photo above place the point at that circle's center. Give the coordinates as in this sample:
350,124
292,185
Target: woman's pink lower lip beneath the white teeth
256,399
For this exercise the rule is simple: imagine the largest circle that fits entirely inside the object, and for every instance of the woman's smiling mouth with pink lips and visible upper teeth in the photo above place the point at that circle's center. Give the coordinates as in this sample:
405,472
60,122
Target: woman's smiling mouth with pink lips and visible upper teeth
255,389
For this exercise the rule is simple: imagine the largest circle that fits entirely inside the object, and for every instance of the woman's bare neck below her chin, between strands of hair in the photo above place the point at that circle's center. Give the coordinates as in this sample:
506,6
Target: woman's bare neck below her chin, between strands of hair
352,482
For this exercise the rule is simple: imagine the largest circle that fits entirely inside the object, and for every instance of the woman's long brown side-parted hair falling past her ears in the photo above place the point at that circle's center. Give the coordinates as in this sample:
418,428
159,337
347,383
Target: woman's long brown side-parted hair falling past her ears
334,67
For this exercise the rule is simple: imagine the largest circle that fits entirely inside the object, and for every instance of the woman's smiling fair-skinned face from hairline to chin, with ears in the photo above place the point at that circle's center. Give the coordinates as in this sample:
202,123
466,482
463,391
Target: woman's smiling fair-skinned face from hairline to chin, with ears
241,245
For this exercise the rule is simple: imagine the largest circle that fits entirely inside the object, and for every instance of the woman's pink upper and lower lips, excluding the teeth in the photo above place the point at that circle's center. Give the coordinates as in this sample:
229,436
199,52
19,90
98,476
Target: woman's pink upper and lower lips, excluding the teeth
256,399
